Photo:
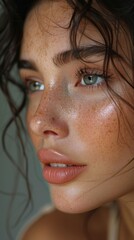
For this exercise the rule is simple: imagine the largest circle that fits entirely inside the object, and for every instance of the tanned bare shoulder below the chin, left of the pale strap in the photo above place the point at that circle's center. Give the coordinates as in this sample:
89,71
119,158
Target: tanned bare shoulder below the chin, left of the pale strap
57,225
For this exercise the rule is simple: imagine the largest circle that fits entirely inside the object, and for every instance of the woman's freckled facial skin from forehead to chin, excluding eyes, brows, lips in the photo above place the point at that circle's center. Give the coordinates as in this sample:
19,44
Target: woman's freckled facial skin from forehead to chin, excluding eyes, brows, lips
85,120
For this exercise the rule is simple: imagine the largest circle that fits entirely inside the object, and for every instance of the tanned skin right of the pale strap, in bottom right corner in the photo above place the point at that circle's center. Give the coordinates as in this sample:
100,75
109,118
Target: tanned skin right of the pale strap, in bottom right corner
126,208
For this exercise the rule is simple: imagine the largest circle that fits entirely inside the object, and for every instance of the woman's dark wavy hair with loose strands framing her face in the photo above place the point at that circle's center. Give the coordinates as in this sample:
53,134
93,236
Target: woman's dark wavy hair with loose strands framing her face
108,18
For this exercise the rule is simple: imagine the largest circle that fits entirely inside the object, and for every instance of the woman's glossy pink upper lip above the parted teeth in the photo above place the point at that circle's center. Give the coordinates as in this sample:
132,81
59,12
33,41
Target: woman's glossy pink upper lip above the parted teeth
48,156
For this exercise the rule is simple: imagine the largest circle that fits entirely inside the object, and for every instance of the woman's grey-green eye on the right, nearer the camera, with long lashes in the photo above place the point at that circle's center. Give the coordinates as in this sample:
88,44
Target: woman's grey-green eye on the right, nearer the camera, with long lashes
92,79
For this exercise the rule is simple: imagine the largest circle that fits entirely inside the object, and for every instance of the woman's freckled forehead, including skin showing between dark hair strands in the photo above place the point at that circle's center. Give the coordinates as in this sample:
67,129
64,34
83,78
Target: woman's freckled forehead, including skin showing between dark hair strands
47,32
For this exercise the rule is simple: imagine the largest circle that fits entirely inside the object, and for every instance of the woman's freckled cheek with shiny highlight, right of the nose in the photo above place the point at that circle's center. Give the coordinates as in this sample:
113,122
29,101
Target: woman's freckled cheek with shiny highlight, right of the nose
102,132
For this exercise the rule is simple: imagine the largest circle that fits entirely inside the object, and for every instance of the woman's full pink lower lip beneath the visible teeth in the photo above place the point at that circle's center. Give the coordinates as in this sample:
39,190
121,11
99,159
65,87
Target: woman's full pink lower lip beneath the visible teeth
57,175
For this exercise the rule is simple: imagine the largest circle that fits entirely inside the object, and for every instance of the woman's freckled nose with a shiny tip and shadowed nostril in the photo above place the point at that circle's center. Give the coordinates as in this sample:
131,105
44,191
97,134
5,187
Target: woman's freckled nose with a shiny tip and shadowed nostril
49,118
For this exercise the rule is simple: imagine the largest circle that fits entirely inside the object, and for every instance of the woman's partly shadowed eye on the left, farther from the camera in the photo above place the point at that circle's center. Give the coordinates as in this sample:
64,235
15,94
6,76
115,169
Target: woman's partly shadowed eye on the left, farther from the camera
34,86
